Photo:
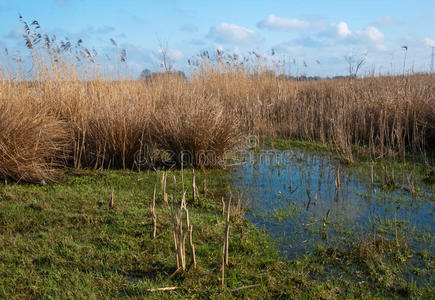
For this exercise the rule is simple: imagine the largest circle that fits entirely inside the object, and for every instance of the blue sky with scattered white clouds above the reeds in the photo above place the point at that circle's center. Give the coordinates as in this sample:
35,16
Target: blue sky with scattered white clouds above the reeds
312,37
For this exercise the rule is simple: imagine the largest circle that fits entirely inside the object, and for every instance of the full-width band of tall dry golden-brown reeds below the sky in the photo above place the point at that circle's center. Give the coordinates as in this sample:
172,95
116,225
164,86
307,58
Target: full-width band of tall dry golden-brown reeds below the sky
69,111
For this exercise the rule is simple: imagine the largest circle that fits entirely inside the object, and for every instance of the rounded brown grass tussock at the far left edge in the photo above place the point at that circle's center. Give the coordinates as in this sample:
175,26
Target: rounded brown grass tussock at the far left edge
34,145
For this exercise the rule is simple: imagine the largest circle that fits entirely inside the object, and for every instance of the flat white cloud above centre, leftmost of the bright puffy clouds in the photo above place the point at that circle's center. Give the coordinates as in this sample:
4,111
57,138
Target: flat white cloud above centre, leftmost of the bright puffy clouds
231,33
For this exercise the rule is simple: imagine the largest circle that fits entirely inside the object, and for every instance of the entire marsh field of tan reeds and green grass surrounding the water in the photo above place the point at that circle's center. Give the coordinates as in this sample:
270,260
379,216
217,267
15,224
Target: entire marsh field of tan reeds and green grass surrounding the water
73,137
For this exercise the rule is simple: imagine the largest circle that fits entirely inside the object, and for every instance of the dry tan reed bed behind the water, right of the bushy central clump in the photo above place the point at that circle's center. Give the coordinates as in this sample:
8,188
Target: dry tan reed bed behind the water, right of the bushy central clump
384,116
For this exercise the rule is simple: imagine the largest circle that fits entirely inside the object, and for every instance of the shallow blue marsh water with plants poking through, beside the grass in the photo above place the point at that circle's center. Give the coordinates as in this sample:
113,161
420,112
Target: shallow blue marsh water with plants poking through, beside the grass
304,199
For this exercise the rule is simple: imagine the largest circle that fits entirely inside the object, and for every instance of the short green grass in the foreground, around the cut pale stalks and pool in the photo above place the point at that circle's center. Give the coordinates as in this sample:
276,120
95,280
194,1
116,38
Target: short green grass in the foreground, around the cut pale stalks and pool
62,241
